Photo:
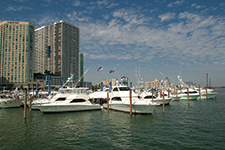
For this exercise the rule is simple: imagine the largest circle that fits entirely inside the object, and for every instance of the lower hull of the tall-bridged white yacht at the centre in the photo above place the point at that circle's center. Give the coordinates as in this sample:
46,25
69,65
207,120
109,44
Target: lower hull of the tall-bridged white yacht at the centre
137,109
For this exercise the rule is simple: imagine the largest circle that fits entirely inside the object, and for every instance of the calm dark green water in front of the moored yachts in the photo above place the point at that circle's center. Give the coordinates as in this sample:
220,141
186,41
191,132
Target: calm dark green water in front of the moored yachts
200,125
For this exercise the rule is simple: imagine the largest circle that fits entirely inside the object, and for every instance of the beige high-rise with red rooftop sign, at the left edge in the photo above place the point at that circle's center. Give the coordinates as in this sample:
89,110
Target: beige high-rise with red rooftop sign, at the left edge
16,51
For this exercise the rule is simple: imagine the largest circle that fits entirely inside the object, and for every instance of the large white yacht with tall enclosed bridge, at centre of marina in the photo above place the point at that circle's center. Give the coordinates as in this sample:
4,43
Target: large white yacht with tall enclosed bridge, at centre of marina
120,101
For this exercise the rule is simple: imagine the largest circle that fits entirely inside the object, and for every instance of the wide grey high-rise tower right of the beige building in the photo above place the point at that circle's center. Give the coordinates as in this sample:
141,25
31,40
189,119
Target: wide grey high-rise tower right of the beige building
57,49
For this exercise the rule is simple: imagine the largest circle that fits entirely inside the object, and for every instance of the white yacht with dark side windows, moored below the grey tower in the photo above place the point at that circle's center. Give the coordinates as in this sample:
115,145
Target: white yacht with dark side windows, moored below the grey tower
67,100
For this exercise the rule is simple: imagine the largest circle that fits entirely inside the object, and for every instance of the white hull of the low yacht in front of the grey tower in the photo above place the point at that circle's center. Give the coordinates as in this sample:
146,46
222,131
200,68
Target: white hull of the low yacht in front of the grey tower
49,108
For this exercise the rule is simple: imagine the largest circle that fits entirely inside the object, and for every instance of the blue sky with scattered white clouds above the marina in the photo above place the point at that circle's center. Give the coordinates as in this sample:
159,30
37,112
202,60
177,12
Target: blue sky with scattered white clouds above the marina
152,38
